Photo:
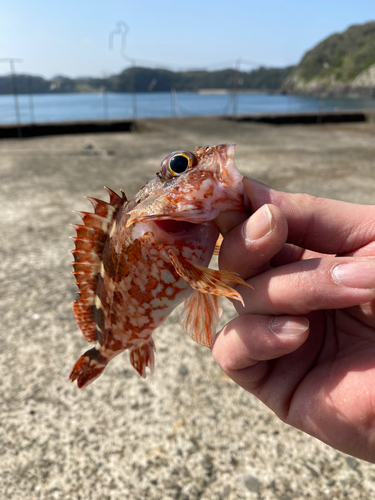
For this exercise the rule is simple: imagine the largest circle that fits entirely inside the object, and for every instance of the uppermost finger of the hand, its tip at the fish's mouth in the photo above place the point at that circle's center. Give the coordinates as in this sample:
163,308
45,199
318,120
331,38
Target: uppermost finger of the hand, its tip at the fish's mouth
319,224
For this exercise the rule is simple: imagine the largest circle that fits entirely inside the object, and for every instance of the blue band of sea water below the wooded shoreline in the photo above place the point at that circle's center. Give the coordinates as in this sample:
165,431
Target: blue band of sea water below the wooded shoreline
99,106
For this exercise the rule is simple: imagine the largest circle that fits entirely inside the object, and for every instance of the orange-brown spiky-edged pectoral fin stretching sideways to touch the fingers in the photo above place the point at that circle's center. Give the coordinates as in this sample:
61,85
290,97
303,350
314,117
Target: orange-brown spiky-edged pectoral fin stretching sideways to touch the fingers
206,280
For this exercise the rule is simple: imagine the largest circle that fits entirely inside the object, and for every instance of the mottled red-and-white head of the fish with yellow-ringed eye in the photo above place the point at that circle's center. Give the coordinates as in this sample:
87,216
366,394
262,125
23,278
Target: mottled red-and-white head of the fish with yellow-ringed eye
192,187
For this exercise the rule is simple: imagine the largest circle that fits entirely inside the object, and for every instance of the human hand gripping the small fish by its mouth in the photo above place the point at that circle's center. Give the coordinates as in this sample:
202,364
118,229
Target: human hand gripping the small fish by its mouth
304,343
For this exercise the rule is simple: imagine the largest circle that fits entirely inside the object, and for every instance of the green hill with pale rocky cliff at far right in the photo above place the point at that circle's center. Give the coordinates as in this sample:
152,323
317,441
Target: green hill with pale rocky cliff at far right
343,63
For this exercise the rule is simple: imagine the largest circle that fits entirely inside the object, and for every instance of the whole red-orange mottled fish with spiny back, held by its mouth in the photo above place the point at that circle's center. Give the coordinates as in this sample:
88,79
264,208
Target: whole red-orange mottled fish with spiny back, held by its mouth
136,260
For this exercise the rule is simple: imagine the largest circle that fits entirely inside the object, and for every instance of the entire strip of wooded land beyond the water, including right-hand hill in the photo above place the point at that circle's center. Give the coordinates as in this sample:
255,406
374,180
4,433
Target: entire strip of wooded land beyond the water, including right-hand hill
341,65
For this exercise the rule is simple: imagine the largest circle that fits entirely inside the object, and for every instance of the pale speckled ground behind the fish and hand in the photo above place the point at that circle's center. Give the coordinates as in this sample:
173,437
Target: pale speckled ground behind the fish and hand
187,432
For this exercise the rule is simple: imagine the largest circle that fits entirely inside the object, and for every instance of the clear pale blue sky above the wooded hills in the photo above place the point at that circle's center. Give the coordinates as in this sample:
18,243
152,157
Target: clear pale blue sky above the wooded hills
70,37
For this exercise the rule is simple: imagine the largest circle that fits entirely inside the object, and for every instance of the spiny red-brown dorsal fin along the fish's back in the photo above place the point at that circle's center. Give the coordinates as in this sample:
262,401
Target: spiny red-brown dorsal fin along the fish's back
88,253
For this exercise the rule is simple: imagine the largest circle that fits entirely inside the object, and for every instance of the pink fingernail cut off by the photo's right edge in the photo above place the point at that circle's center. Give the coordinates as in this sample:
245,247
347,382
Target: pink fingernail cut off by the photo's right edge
360,274
